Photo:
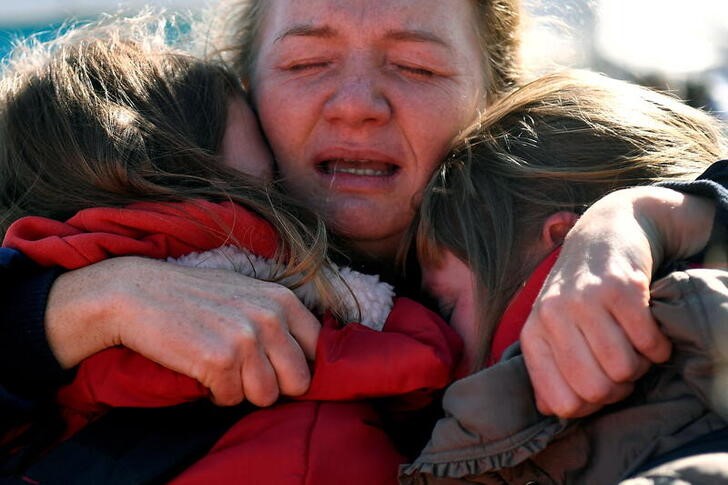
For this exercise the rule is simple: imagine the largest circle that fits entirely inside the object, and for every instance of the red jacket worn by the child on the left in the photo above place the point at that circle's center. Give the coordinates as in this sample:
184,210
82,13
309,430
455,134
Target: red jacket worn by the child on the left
330,435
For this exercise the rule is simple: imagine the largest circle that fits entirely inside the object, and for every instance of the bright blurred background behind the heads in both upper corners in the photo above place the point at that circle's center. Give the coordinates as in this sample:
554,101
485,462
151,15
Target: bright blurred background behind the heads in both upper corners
667,44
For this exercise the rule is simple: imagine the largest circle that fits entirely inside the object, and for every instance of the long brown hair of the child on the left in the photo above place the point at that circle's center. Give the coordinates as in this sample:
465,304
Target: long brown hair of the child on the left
108,115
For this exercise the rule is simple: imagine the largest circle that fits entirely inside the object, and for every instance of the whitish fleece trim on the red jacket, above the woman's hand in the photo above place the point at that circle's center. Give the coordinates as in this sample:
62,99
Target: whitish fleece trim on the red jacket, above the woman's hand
366,299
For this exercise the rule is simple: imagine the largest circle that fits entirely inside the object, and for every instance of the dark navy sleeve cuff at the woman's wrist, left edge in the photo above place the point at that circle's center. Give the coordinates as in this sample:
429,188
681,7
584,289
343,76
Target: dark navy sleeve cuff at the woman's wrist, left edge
27,366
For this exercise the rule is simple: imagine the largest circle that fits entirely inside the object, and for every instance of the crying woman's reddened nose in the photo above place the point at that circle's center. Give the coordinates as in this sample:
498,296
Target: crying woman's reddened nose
358,99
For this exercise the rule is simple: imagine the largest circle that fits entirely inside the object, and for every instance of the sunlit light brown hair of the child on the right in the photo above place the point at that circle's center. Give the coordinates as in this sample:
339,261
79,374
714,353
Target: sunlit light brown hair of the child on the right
558,143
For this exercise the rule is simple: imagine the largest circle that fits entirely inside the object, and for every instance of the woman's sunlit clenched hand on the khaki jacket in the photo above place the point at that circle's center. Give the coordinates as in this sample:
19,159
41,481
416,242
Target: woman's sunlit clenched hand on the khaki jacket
591,333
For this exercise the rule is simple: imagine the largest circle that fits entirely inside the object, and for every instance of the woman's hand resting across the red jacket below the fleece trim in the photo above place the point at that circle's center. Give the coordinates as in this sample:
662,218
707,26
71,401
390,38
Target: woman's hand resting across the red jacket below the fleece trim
241,338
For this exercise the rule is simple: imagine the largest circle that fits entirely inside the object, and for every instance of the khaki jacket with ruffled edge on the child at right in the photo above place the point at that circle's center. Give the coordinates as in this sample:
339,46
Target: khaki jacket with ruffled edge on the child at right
493,434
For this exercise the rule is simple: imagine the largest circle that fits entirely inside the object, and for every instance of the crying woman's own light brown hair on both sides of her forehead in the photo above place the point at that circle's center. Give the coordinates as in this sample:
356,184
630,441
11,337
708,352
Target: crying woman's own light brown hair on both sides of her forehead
497,21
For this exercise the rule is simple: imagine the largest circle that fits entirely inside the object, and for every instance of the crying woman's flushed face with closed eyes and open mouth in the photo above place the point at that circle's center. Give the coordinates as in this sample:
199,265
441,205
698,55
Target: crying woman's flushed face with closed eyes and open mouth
347,85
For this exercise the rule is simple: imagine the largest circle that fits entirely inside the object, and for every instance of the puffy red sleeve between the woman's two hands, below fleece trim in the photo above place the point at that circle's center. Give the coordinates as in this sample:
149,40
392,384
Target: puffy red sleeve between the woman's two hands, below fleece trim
416,352
